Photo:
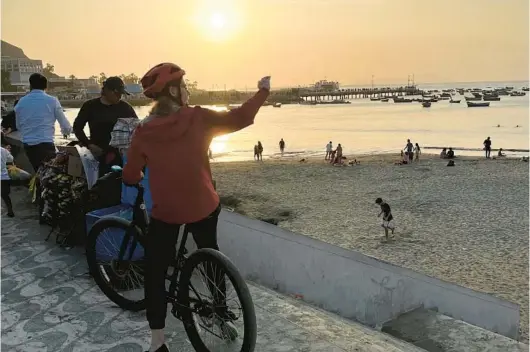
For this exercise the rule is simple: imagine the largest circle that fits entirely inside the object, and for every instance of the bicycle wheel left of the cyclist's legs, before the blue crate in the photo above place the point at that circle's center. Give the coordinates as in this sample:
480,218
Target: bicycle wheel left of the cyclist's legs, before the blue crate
120,279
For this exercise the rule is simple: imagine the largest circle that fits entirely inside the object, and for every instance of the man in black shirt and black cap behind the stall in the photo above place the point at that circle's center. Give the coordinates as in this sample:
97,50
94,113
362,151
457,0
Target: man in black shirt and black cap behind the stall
101,114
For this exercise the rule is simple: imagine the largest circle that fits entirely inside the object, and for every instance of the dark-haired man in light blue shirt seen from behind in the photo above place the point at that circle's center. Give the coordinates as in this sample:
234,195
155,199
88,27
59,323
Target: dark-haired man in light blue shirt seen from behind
36,114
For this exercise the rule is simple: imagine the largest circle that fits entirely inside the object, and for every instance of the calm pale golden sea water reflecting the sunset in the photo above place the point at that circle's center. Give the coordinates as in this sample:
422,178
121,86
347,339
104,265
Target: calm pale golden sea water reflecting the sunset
366,127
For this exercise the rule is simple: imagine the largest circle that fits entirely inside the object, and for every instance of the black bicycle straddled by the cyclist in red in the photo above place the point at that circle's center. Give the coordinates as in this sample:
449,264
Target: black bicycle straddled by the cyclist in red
188,305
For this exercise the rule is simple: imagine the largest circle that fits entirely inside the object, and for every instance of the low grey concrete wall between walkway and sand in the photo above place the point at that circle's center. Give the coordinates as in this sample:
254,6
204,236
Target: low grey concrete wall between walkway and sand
349,283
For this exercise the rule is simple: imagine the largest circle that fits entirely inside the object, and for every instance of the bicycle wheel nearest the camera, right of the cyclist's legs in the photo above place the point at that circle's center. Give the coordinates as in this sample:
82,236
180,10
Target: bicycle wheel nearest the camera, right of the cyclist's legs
215,320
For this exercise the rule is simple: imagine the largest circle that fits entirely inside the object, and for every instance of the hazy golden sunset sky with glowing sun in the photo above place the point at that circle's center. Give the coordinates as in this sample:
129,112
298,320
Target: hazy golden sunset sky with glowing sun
235,42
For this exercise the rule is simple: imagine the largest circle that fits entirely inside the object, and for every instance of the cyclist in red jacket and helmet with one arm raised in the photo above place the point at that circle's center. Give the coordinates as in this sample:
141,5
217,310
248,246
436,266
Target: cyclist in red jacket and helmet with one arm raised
173,143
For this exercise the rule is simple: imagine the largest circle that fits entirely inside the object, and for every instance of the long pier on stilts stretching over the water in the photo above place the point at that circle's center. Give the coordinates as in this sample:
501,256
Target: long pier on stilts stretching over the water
359,93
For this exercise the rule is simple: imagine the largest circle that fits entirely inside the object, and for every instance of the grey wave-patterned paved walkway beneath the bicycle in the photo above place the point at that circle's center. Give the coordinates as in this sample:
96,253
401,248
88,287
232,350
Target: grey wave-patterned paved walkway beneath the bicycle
49,303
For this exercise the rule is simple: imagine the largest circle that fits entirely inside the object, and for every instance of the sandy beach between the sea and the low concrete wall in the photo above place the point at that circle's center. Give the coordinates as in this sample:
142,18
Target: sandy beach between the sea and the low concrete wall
466,224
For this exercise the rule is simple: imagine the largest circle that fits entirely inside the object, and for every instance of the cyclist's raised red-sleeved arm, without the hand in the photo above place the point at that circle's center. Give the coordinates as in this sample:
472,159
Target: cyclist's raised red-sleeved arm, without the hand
234,120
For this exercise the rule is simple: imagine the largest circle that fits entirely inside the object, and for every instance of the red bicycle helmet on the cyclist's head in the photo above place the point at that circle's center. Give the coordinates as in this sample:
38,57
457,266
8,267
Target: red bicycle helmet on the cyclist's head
157,78
